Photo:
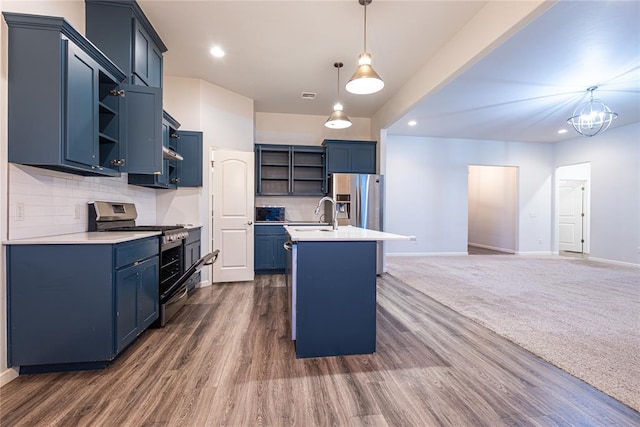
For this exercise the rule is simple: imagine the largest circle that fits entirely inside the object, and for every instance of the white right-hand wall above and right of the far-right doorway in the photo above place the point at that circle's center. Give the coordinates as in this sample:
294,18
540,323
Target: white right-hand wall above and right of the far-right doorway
615,189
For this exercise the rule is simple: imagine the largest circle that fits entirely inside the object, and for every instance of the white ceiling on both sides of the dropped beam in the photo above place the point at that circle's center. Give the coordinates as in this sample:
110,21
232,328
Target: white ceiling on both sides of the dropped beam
524,90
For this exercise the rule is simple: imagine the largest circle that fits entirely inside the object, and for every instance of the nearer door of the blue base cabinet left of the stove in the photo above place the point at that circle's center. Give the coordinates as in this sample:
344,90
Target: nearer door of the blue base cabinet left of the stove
126,306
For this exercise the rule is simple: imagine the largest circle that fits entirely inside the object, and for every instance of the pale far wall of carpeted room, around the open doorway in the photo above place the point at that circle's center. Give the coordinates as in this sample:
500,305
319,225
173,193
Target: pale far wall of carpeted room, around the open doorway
427,195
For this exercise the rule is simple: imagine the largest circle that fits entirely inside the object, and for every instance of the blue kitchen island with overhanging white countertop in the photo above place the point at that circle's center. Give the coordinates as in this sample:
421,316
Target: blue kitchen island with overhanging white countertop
332,292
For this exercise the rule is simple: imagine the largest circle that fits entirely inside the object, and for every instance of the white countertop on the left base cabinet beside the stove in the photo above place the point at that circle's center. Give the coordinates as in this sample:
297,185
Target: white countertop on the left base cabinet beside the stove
91,237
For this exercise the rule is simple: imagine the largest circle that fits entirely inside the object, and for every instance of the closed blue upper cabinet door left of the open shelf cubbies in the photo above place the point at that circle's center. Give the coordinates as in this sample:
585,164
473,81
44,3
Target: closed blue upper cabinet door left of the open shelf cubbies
82,108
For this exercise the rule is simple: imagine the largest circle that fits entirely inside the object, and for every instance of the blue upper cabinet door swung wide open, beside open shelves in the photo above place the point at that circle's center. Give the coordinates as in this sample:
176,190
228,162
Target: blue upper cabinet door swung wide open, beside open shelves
141,130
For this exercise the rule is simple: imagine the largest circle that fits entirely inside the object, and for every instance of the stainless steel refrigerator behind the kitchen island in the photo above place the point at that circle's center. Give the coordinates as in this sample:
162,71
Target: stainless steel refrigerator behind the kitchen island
359,202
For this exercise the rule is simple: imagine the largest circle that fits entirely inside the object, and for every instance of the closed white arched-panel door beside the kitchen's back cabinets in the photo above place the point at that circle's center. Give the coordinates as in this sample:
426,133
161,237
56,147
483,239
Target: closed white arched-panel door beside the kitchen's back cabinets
232,214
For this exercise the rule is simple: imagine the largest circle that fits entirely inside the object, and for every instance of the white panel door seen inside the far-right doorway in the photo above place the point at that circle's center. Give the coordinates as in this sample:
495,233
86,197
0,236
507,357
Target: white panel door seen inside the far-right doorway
572,215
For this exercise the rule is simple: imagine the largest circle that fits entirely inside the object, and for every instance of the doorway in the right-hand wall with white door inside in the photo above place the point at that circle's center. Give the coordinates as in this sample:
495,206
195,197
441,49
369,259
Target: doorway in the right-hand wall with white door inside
572,209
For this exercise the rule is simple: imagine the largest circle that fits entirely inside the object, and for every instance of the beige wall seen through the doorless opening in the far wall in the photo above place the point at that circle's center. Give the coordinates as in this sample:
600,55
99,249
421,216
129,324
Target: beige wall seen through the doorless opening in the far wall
493,207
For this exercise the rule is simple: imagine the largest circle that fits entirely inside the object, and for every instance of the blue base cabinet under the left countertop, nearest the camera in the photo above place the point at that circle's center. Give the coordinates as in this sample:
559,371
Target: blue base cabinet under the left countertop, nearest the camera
77,306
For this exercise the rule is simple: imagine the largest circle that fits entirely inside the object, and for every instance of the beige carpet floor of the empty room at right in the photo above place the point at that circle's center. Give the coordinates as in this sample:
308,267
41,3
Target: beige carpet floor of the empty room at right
582,316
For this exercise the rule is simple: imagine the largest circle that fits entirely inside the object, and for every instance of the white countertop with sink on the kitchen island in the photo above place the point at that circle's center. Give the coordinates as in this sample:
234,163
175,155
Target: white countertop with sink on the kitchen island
343,233
